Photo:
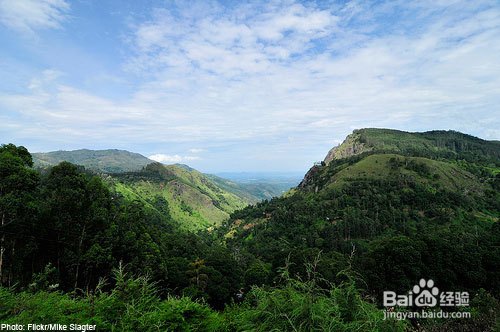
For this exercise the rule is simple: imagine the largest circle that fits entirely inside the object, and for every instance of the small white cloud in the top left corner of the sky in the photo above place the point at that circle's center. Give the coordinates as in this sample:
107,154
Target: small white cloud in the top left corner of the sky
27,16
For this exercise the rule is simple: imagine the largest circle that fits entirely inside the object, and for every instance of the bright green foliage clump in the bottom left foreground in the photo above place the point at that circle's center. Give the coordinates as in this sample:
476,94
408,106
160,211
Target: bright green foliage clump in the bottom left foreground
132,305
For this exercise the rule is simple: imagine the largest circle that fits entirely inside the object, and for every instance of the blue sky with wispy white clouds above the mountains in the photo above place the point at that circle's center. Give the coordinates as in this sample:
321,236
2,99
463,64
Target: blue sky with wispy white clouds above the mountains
243,86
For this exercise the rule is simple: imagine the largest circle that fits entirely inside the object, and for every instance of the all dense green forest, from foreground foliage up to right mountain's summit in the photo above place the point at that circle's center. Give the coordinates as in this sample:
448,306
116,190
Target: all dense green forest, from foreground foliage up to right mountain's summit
391,210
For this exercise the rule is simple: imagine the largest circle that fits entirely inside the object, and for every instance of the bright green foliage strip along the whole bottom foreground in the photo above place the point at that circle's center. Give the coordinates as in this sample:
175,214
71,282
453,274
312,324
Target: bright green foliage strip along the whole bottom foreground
133,305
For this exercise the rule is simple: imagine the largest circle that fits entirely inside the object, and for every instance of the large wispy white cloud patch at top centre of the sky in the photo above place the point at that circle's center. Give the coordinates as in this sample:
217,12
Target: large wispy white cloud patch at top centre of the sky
230,45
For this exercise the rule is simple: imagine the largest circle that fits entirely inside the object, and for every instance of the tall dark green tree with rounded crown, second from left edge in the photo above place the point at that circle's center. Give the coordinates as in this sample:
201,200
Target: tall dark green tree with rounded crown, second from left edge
77,210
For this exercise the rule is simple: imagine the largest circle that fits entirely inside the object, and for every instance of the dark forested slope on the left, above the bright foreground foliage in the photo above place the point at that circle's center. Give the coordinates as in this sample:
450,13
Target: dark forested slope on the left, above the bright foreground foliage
66,228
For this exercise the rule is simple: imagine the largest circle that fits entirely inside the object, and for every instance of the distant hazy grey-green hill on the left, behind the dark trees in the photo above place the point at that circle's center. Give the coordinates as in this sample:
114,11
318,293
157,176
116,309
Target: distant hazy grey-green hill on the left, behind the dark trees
109,161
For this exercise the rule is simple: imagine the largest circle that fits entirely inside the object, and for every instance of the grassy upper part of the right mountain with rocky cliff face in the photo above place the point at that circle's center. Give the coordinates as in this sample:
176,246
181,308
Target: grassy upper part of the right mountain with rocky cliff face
440,159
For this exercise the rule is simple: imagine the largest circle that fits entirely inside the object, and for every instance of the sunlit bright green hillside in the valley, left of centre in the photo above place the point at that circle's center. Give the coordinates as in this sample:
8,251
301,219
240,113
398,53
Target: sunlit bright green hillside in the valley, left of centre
194,201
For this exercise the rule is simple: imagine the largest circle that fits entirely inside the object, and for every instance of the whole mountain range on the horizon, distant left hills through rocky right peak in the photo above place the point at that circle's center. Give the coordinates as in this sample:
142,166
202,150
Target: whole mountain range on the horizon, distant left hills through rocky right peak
198,200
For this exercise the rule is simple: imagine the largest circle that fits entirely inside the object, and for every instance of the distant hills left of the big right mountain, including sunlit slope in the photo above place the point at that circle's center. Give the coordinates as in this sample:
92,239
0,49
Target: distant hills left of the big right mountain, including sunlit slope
192,199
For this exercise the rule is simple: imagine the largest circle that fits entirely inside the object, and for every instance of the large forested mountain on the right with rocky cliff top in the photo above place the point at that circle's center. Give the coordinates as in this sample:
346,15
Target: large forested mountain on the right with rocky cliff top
395,206
